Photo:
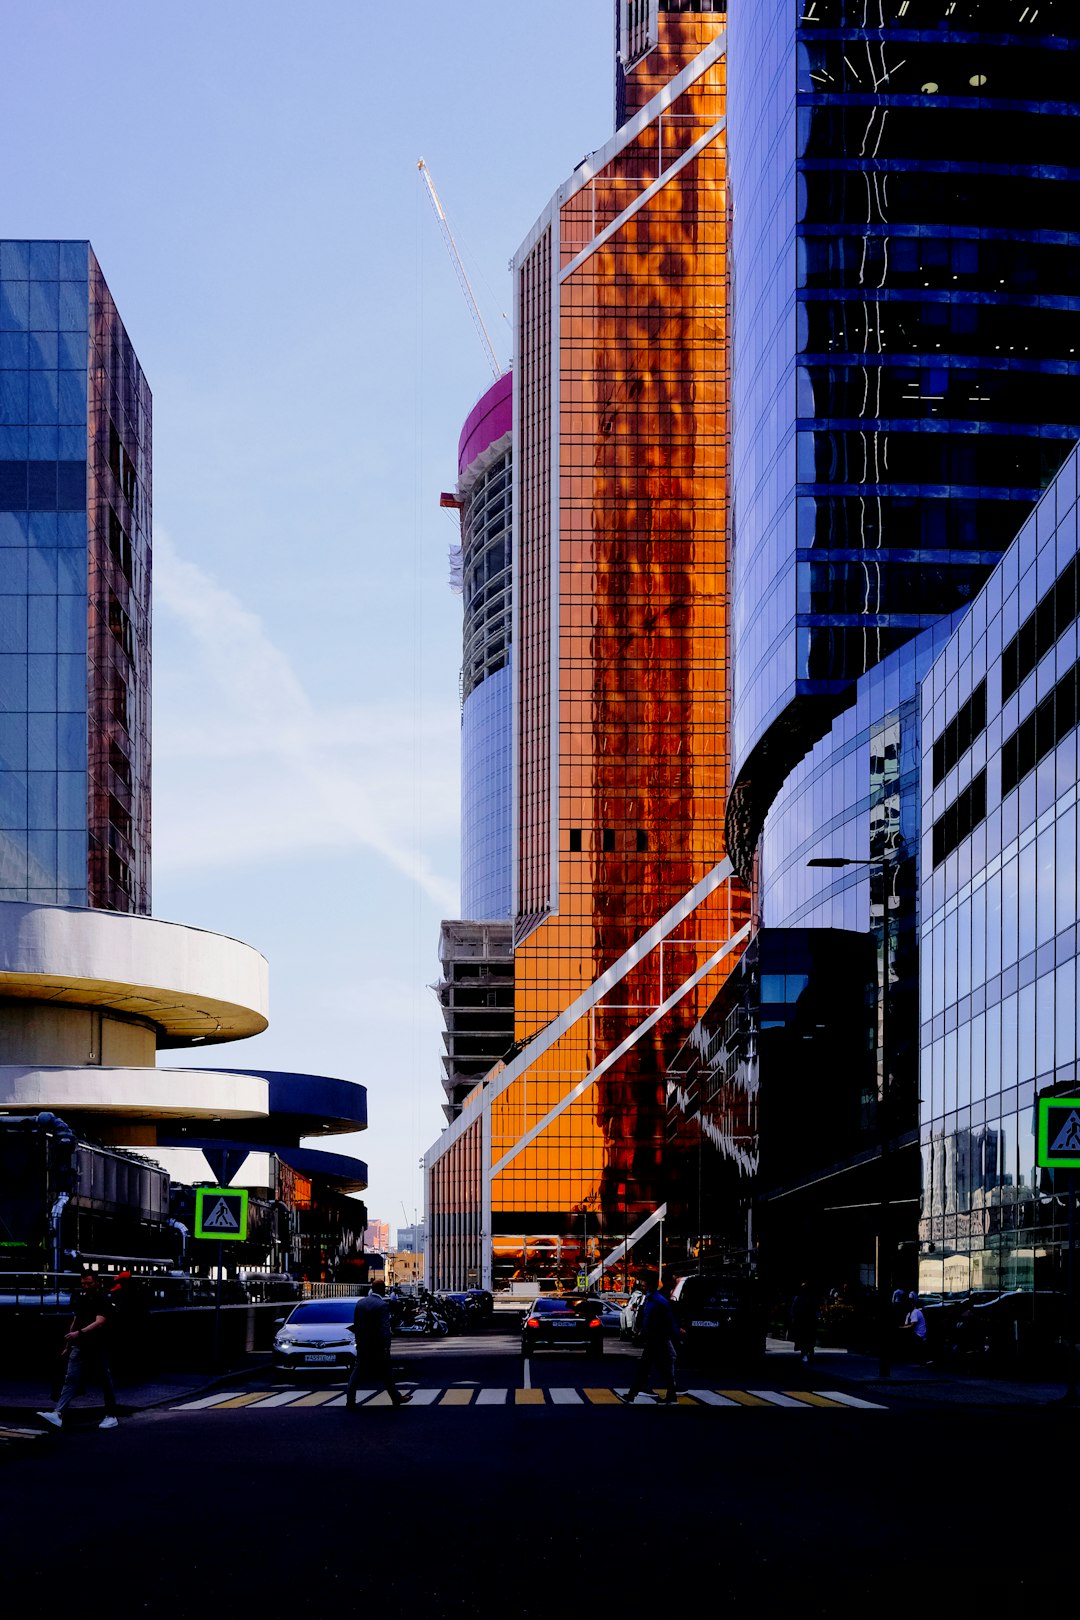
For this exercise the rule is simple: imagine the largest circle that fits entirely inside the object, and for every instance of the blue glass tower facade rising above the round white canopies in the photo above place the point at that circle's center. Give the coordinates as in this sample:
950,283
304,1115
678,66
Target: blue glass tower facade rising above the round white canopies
75,587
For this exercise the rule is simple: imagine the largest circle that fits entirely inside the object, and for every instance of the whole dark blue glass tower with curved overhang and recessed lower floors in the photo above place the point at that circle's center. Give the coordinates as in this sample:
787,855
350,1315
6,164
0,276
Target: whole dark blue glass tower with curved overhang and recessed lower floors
906,385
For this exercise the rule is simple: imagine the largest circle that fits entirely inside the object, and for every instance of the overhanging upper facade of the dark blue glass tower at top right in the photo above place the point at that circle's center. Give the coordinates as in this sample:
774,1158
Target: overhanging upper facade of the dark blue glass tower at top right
906,359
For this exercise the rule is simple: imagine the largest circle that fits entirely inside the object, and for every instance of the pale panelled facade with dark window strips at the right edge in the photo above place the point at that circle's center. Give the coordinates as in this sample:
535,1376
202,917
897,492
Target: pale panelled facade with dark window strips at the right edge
1000,913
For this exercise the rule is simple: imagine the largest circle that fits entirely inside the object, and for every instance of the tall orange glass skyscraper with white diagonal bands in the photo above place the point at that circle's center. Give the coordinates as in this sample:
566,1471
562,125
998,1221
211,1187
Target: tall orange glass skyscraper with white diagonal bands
626,913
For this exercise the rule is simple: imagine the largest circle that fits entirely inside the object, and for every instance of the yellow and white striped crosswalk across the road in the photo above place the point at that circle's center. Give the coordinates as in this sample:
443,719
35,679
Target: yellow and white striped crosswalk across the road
482,1396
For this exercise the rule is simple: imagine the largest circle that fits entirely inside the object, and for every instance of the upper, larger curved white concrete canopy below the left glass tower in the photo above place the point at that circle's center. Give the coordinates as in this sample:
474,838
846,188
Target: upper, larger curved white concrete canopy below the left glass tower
192,984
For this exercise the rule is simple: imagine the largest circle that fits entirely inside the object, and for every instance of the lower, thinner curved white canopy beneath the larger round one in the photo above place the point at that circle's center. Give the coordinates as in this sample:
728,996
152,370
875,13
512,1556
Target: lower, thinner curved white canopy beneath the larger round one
145,1094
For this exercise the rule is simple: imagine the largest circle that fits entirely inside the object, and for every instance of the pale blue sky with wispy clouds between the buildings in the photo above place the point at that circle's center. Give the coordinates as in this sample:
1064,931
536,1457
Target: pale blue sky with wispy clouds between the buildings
247,174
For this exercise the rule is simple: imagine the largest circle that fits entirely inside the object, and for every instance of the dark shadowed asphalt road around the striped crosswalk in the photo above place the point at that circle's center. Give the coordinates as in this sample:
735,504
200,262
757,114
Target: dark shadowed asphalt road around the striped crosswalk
461,1509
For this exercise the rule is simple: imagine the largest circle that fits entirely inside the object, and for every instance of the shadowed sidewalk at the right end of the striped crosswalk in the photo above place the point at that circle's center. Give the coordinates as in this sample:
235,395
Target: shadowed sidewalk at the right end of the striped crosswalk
927,1386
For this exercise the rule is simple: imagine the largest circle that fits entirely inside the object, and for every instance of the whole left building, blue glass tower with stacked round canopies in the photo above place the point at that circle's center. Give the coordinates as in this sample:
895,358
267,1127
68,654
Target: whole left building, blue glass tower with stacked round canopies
93,987
